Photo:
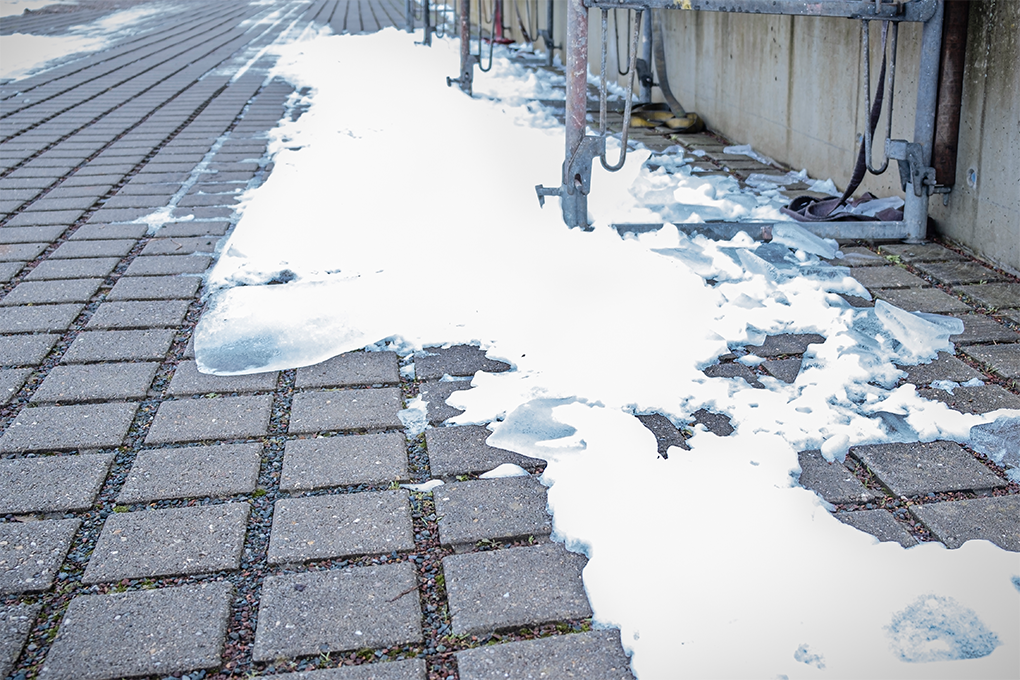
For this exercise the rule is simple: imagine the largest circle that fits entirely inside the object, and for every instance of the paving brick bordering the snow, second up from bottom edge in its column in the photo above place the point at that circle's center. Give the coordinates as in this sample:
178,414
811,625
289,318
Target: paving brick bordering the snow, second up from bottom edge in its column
520,587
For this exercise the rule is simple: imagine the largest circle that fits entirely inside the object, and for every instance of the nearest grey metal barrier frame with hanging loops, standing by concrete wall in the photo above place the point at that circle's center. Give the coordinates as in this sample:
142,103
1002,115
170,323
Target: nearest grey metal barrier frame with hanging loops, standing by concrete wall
917,178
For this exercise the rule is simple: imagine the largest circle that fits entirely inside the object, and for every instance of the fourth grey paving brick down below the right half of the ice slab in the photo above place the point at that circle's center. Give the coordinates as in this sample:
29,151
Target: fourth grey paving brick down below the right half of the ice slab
335,527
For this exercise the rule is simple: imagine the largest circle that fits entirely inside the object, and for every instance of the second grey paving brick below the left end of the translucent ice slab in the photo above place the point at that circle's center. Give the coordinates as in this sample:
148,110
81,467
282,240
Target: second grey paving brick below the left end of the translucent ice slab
205,420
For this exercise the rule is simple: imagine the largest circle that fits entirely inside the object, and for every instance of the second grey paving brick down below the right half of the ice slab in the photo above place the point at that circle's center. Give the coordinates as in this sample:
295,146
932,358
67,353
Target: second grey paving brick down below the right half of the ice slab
346,410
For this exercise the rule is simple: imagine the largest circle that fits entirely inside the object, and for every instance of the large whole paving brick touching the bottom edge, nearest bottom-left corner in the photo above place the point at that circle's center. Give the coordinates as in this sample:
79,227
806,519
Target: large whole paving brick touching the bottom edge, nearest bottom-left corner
111,637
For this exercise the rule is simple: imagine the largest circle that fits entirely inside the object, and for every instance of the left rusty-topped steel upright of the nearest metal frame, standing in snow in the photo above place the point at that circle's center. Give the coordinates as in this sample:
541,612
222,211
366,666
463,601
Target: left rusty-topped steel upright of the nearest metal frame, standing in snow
573,199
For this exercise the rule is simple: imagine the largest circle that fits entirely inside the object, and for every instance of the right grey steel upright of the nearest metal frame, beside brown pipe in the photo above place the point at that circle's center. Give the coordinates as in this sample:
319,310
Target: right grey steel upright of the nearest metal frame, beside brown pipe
915,213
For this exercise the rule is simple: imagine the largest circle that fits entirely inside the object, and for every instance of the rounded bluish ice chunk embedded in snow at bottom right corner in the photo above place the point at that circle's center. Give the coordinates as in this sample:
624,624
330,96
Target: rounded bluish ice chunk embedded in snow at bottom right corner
936,629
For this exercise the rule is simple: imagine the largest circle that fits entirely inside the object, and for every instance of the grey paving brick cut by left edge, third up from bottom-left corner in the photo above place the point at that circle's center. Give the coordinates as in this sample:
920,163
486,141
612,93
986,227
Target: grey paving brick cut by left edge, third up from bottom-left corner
55,484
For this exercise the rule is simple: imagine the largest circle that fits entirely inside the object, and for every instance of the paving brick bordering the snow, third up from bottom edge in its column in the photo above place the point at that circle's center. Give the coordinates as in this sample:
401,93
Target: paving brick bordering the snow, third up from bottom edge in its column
498,509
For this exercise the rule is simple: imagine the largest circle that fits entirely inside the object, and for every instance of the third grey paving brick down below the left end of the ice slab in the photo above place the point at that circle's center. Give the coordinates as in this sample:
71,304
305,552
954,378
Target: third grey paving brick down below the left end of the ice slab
193,473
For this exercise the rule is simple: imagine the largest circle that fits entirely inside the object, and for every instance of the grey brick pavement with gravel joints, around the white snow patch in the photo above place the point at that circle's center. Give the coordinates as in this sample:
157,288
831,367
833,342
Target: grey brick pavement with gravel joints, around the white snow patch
159,522
